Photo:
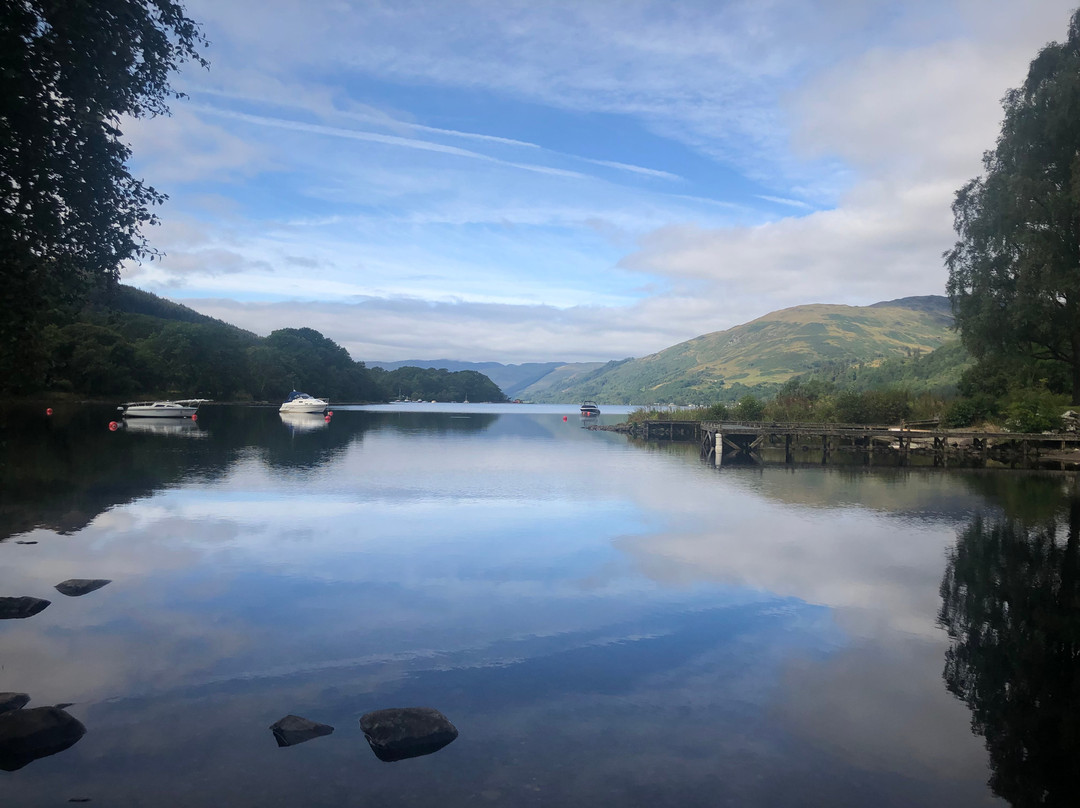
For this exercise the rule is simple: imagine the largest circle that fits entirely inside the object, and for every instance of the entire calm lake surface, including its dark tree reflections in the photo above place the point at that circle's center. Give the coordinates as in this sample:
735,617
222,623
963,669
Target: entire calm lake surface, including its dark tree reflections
604,622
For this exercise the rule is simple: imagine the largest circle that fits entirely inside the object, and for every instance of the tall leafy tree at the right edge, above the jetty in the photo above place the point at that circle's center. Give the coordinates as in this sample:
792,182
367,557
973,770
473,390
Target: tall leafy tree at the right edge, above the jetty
1015,273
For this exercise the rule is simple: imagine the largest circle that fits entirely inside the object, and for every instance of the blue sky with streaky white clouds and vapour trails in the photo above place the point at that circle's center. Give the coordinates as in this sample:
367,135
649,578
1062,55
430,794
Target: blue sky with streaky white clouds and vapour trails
588,181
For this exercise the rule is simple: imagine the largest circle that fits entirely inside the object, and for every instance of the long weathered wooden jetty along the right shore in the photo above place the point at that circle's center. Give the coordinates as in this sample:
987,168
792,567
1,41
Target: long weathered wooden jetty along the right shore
742,442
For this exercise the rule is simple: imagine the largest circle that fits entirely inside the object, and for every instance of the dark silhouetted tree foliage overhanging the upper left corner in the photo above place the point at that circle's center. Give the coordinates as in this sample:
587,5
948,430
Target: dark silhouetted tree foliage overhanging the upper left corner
71,72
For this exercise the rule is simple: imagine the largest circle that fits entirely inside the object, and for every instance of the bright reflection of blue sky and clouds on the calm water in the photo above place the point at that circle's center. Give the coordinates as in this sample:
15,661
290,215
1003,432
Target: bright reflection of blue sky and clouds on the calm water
579,591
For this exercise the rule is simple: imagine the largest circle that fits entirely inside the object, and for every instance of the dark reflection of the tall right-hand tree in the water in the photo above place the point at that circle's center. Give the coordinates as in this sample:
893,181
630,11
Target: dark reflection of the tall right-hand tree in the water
1011,607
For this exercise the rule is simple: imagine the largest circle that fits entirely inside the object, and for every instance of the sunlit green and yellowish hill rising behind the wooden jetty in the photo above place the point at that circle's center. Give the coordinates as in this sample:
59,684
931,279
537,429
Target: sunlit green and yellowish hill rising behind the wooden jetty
760,356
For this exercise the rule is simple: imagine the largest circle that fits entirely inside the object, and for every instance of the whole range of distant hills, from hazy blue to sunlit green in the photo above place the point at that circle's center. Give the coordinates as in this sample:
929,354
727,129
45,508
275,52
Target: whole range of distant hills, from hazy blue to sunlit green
910,340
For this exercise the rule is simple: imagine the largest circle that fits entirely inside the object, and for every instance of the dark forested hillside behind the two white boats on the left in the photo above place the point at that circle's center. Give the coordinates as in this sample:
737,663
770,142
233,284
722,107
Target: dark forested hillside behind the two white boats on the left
132,344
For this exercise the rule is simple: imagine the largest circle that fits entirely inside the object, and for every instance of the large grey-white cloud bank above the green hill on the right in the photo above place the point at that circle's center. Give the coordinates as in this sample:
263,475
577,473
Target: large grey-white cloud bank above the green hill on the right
913,125
